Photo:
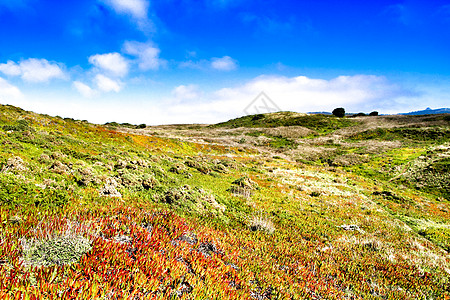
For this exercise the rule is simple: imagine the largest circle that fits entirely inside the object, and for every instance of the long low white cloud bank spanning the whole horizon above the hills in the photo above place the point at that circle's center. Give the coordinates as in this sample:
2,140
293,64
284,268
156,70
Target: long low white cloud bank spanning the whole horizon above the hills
193,104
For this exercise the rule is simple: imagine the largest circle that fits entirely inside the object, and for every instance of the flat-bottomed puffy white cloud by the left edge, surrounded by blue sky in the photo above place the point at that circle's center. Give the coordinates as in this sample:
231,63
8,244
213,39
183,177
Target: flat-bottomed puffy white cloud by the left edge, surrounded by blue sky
34,70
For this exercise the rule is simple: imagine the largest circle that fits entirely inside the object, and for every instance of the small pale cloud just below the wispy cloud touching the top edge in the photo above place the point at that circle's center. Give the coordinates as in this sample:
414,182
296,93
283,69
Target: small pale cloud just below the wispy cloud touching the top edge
147,55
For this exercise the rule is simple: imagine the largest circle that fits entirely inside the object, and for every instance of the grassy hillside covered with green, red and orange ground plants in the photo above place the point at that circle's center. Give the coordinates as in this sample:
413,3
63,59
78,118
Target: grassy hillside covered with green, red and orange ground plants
282,206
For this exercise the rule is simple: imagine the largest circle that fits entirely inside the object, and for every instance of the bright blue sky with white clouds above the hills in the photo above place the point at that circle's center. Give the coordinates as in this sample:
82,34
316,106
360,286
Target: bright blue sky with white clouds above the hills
185,61
